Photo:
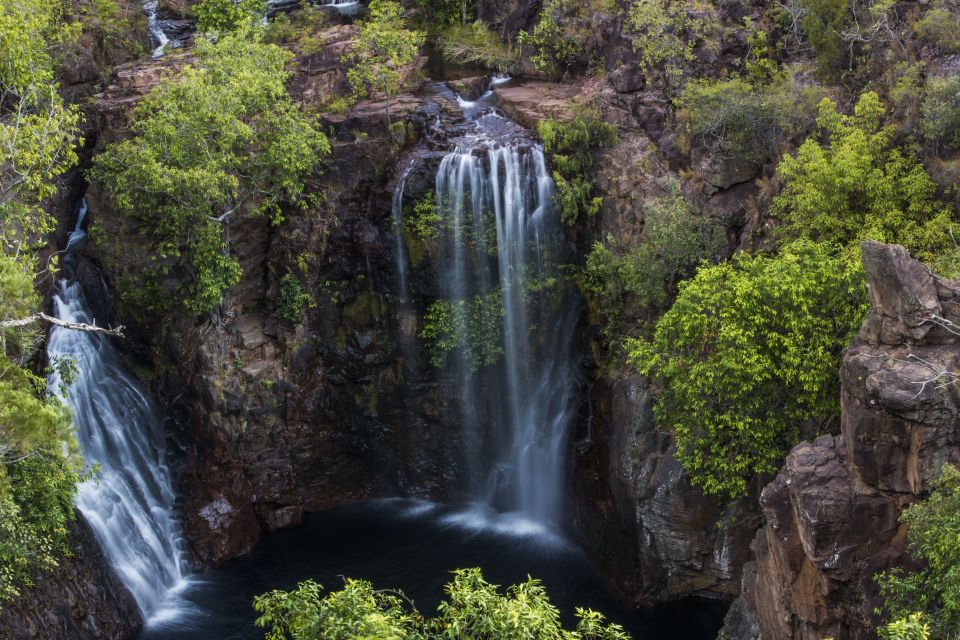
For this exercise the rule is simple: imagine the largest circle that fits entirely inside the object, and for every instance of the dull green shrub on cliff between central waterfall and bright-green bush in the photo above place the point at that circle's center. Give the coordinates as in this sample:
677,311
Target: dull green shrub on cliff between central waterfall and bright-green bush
675,241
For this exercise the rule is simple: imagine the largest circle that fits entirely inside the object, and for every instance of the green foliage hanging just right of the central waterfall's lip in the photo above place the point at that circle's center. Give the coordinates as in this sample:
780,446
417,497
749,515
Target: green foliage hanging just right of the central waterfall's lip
571,145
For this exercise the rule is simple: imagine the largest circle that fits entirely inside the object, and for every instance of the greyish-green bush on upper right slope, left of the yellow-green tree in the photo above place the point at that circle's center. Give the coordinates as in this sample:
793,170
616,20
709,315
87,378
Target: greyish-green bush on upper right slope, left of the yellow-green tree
736,119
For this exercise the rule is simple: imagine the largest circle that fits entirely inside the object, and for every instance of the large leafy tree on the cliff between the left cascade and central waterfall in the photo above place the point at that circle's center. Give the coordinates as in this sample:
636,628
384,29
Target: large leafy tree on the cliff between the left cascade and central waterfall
220,141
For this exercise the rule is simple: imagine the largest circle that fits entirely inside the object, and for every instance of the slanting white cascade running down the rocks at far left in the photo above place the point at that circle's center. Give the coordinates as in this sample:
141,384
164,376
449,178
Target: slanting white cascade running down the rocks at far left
129,501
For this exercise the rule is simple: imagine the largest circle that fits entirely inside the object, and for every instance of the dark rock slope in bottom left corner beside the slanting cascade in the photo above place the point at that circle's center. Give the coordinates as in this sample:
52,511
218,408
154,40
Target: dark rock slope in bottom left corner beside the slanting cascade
82,599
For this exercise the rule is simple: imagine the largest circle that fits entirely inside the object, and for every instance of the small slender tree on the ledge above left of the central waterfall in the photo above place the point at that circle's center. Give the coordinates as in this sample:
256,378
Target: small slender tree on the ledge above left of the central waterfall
383,48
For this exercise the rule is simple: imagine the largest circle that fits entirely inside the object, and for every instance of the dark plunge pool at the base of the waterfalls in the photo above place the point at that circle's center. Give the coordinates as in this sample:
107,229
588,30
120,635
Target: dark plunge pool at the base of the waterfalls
413,546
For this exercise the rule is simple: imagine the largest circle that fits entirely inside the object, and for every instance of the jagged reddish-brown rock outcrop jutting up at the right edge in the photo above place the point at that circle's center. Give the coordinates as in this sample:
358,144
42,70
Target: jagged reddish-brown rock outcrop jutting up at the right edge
832,513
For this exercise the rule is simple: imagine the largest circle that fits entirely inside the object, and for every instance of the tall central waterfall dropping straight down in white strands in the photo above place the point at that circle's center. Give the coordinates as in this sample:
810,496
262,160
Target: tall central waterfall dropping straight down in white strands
499,249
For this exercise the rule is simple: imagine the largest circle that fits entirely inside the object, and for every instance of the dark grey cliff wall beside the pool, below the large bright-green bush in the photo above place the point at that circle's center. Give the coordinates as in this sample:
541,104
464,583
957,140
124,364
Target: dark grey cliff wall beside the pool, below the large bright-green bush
655,536
